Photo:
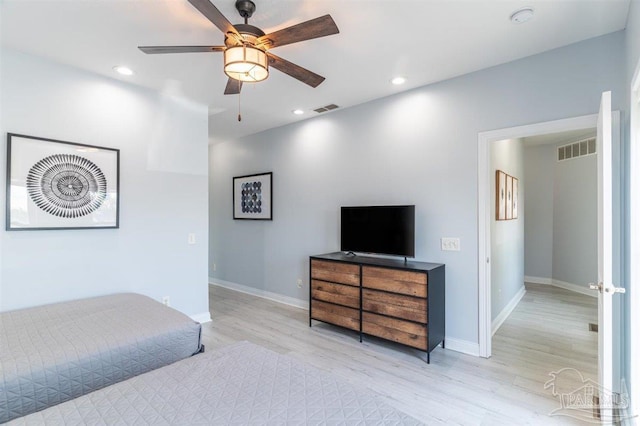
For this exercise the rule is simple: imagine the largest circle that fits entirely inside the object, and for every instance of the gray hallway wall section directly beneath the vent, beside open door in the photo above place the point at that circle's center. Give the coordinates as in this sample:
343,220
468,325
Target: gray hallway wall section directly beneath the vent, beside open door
575,221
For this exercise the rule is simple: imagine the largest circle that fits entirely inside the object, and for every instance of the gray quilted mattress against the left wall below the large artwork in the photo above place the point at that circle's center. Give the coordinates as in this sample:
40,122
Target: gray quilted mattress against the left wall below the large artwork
54,353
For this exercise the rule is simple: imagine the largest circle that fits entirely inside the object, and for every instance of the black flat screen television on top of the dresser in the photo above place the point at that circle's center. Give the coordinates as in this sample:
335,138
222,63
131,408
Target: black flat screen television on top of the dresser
378,229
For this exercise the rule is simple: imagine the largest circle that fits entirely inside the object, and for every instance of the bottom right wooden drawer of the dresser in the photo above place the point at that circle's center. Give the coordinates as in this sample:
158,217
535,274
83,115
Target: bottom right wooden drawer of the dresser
405,332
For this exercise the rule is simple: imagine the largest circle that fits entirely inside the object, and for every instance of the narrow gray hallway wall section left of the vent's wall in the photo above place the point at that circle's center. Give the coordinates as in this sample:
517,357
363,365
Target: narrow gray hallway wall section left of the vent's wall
538,226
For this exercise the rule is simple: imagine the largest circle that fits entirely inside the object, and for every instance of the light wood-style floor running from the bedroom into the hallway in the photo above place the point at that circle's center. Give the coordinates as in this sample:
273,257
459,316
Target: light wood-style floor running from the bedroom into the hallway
546,332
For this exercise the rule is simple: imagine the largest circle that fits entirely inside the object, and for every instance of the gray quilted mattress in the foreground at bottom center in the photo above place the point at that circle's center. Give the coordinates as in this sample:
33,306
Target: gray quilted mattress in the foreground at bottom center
243,384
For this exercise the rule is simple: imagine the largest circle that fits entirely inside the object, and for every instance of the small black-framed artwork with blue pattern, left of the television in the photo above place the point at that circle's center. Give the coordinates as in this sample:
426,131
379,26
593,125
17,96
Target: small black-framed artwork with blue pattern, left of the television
252,196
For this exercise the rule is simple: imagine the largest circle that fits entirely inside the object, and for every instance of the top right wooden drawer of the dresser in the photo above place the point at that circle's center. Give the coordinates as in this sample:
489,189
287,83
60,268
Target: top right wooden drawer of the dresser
395,280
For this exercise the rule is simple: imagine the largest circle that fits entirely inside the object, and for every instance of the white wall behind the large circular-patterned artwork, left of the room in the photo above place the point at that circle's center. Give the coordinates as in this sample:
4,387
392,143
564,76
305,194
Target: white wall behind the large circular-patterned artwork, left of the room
161,201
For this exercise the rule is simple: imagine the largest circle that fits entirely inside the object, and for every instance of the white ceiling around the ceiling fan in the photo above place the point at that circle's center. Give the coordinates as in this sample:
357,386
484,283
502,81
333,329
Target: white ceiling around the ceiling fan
424,40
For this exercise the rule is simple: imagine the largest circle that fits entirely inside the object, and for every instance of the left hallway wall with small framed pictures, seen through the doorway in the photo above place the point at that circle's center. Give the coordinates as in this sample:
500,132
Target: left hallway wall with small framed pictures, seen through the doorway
507,236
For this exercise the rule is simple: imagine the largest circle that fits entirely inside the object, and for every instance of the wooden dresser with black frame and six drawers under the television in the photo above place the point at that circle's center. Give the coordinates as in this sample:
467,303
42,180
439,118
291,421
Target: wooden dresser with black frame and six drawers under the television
388,298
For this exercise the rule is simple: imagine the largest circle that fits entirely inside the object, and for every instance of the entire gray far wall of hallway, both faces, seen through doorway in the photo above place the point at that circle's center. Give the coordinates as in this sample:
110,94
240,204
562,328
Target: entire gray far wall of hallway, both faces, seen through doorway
561,216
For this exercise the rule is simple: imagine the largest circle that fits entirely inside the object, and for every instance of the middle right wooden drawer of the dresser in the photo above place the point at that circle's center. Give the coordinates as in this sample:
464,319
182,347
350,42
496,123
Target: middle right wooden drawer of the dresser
395,305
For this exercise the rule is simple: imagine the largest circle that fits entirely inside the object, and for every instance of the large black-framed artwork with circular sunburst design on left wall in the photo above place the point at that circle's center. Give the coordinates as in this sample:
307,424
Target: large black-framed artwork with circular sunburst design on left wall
53,184
